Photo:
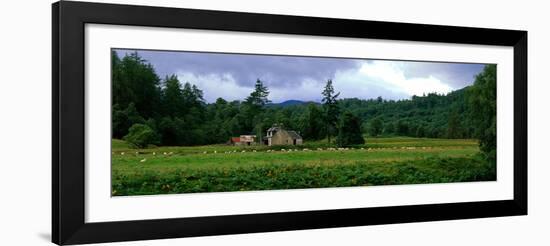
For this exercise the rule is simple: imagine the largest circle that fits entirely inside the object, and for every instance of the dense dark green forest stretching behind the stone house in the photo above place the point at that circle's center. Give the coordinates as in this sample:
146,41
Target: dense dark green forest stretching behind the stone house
147,109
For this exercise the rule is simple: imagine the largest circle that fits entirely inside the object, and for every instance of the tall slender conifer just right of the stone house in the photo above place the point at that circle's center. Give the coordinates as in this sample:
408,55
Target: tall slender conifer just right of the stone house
330,105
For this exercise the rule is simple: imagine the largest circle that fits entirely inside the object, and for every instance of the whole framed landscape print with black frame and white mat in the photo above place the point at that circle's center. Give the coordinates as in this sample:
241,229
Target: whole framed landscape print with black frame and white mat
176,122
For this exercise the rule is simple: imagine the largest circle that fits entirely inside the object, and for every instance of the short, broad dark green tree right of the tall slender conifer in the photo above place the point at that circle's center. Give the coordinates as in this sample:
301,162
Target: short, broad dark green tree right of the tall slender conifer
349,131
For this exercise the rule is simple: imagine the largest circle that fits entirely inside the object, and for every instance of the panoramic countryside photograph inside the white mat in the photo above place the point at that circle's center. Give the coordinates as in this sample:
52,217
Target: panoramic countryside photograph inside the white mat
193,122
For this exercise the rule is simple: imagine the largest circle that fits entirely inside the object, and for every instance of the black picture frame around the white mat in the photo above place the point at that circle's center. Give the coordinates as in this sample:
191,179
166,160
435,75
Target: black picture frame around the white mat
68,107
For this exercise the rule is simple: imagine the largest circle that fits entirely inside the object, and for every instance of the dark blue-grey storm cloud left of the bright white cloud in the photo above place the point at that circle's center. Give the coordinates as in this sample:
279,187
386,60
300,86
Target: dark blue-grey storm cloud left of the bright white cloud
276,71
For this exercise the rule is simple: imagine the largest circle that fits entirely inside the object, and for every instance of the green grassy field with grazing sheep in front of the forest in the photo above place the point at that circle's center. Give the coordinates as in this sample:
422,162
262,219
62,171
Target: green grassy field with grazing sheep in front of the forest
219,168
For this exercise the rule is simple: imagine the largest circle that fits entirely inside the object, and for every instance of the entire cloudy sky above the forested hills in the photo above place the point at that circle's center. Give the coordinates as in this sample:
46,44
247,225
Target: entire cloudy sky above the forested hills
232,76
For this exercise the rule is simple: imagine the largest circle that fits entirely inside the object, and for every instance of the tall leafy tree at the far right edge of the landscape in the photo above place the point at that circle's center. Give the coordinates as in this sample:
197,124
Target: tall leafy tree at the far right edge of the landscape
482,104
